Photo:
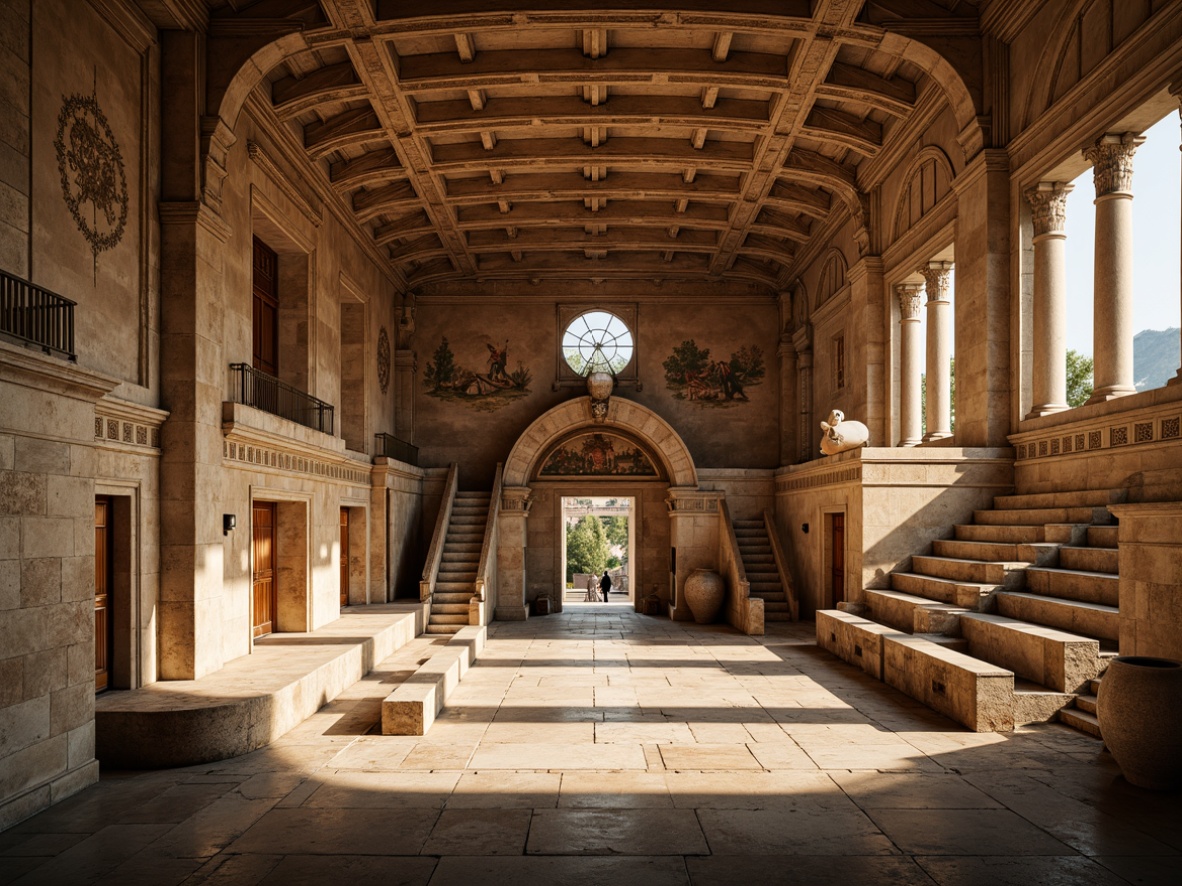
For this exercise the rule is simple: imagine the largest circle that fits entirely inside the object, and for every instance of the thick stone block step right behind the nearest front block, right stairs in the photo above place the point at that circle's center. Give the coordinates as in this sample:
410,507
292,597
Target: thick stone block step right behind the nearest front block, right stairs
1055,660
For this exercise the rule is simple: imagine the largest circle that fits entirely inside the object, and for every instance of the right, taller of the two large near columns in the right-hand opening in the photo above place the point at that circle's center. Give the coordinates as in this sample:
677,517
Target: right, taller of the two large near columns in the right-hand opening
1112,159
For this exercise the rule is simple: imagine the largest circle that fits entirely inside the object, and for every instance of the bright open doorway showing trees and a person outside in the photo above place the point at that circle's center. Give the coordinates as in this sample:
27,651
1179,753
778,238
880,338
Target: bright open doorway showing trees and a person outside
599,536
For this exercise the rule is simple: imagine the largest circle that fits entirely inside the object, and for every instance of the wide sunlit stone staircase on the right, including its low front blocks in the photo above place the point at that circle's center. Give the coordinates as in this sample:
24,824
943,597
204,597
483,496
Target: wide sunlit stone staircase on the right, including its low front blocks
1008,623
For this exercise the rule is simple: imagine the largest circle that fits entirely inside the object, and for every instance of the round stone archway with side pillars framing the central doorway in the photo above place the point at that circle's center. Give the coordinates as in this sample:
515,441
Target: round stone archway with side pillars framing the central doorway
676,514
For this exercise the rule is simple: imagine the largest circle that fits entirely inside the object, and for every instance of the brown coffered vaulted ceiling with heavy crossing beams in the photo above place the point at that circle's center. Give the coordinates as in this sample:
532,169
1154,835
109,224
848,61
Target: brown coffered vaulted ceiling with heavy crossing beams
482,145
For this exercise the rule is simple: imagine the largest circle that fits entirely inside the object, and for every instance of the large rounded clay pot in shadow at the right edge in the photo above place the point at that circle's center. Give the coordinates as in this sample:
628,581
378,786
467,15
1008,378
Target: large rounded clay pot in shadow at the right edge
1140,709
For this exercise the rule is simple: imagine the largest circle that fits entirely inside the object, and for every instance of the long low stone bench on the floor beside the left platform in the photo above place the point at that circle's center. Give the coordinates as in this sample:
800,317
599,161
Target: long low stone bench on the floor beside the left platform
413,707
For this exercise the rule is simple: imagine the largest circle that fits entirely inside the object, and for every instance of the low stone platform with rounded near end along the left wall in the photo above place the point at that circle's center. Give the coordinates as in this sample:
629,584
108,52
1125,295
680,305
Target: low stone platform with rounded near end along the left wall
254,700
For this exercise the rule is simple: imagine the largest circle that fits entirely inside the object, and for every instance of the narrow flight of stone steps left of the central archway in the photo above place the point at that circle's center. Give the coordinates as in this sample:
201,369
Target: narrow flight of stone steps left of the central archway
456,583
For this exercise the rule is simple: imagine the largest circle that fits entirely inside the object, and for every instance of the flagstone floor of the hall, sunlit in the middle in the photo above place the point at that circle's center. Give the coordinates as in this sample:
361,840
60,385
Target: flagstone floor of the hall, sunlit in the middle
603,747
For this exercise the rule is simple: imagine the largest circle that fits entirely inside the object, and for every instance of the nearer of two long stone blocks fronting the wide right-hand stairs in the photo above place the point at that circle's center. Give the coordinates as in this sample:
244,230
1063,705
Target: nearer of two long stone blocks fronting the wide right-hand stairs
973,693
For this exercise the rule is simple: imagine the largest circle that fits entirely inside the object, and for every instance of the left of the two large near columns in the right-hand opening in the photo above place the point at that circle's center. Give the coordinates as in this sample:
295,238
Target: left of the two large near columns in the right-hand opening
1049,200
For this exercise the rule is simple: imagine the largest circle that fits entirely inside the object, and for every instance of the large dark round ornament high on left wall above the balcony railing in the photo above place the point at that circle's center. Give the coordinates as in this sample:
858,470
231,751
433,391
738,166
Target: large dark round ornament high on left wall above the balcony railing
94,181
